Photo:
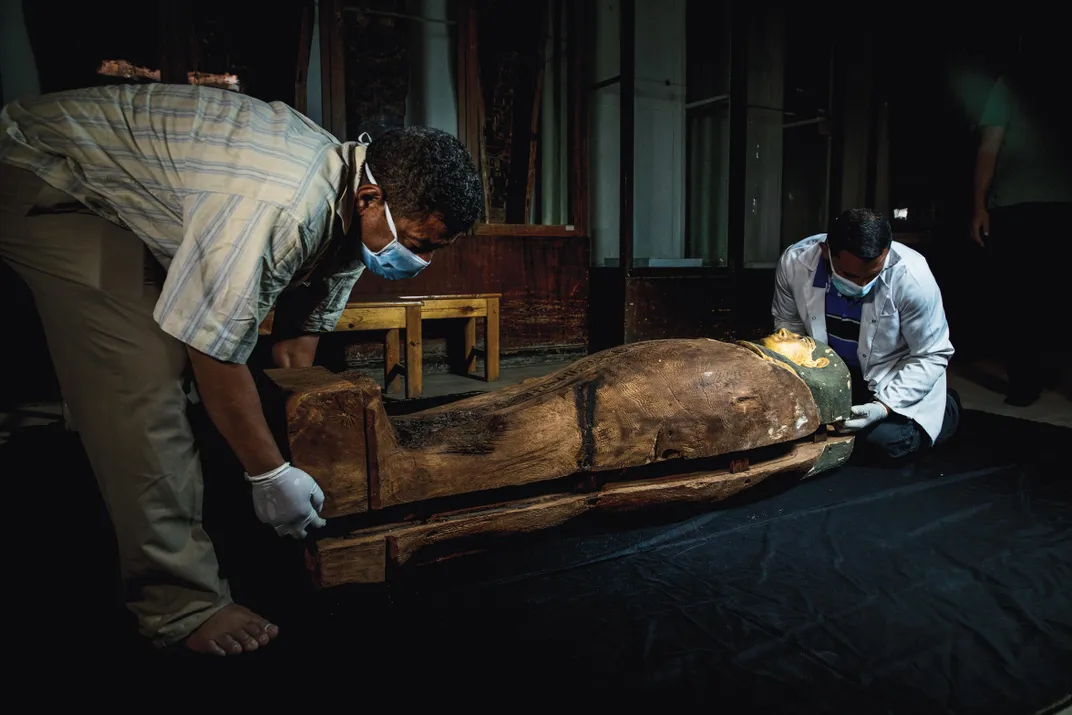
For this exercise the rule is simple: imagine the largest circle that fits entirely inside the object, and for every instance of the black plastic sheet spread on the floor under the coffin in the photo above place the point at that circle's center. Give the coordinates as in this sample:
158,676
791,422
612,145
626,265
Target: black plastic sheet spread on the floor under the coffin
941,586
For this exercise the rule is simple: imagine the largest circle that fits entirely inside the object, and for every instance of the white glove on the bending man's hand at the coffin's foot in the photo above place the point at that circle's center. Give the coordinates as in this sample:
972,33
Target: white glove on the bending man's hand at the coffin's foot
289,500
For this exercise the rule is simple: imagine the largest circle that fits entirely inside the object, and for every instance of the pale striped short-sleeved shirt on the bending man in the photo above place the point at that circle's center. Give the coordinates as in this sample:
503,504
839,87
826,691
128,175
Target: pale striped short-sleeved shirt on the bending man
237,199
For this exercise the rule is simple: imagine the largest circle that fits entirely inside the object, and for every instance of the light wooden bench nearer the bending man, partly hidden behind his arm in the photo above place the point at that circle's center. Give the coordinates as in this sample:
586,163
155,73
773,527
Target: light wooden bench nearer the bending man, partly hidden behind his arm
393,316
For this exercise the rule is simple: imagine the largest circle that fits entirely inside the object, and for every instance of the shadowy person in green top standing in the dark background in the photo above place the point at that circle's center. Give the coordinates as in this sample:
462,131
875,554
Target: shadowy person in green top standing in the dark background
1023,208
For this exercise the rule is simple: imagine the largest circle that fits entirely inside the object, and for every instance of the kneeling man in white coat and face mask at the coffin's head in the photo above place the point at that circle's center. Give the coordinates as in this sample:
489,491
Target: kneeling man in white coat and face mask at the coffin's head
877,305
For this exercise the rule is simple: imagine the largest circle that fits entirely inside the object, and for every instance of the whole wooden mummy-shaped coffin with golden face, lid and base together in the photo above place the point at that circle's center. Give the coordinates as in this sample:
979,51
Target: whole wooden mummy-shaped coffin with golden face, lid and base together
716,418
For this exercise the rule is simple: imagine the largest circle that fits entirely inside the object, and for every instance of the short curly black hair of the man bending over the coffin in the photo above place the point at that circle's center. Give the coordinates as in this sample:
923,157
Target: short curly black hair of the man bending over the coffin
424,171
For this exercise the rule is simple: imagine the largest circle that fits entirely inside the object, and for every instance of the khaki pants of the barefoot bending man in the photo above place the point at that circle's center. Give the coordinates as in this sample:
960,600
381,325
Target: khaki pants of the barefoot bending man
123,380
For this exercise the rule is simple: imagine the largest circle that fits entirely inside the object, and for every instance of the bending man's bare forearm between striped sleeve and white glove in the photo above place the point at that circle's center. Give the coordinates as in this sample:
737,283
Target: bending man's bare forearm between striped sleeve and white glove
234,407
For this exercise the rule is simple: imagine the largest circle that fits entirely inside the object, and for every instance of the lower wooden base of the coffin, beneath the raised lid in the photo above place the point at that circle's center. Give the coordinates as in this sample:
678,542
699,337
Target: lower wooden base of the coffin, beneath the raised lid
359,554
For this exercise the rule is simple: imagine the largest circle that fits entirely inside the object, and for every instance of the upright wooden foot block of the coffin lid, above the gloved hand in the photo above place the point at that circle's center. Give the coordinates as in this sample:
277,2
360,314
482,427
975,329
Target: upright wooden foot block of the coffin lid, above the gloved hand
325,433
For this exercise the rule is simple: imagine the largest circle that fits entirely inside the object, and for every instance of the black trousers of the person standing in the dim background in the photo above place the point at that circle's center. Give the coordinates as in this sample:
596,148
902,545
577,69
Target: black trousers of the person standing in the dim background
1030,248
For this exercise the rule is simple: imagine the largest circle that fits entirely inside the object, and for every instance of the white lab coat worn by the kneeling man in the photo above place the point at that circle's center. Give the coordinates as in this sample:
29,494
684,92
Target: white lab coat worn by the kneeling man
904,337
